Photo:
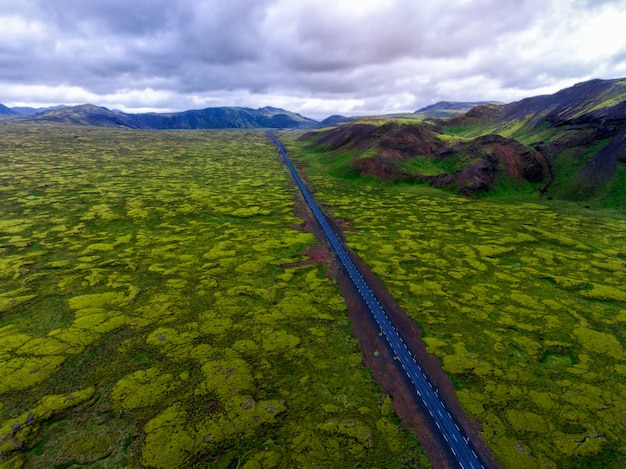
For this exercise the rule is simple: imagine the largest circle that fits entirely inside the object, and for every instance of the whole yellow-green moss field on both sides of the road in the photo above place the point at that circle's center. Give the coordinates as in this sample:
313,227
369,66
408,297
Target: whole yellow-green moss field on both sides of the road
147,318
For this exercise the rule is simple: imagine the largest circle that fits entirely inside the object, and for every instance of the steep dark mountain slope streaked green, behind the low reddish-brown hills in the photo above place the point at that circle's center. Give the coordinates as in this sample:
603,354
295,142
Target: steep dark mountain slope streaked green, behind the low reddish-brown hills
581,131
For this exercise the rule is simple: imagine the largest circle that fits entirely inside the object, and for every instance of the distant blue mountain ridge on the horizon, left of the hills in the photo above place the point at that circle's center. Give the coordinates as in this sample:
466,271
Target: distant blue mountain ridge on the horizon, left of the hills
210,118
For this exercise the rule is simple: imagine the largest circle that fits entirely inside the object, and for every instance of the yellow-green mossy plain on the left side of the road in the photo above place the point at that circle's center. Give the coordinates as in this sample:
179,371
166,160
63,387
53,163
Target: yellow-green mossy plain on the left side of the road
158,309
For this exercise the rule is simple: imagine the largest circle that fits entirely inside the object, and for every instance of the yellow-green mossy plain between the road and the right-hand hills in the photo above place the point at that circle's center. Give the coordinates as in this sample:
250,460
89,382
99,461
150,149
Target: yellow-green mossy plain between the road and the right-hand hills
524,304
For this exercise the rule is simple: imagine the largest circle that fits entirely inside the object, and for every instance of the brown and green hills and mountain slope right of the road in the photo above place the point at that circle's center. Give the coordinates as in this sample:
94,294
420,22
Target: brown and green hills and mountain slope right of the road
570,146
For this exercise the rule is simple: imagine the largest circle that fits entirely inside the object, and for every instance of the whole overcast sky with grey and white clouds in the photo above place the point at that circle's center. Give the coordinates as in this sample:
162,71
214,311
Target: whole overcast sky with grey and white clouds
315,57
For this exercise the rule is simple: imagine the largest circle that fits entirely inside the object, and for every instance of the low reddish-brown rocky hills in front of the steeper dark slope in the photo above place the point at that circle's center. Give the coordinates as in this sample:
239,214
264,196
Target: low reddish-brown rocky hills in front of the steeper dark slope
418,152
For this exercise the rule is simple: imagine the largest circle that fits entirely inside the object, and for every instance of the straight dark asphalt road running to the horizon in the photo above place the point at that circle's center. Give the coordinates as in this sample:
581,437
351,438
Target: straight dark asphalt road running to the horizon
460,449
